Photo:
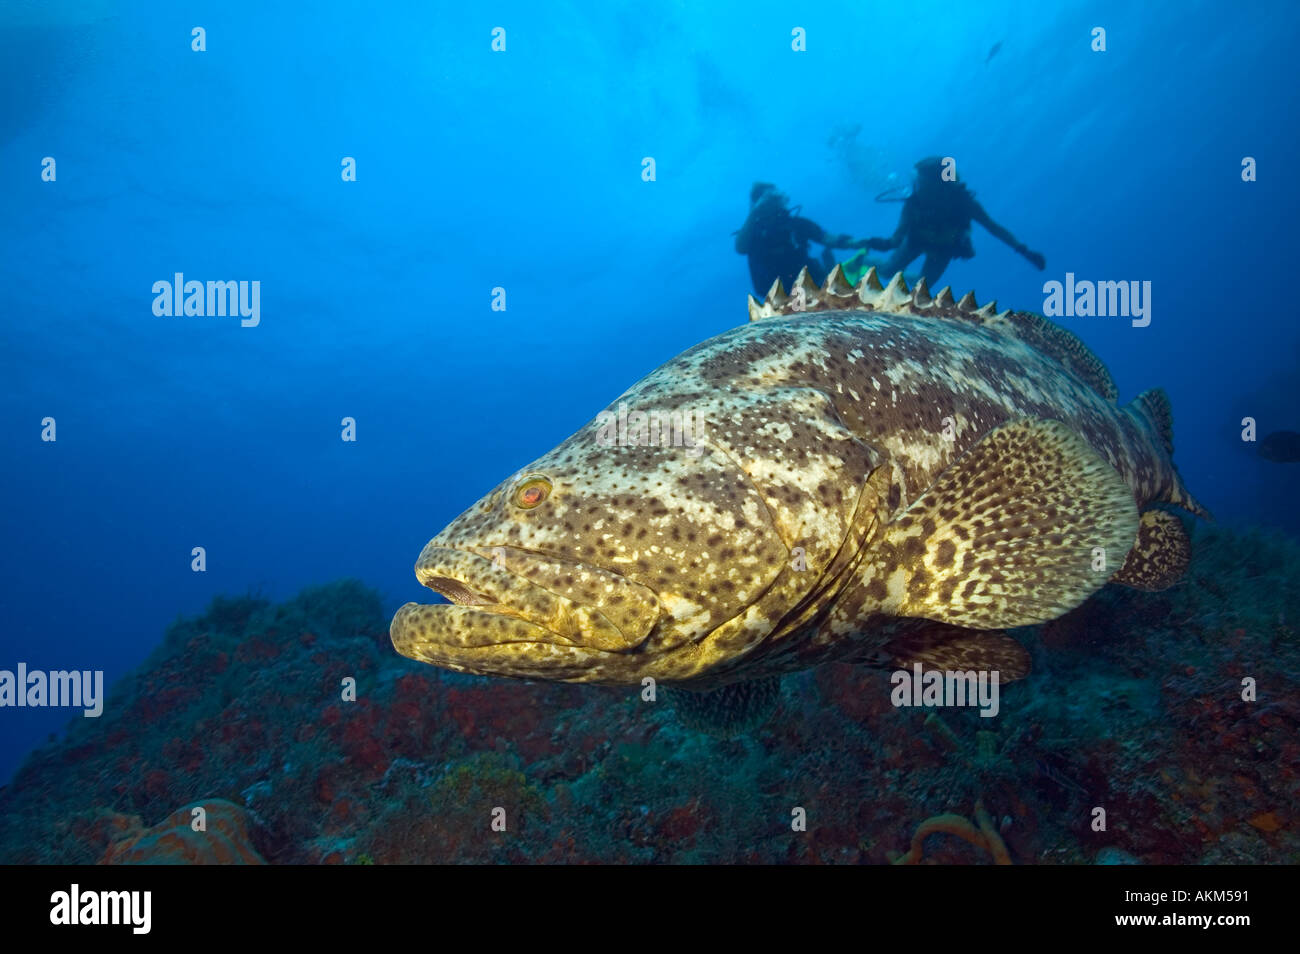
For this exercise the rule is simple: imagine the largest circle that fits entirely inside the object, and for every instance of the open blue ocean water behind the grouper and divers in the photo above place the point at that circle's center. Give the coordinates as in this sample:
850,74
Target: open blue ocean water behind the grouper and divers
523,171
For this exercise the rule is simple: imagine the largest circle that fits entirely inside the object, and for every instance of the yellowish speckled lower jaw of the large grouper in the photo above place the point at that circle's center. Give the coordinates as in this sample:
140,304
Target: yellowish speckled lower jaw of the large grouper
484,643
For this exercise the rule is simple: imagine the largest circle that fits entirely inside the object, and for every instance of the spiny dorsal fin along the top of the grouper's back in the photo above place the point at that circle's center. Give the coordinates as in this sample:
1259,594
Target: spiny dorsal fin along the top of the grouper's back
837,294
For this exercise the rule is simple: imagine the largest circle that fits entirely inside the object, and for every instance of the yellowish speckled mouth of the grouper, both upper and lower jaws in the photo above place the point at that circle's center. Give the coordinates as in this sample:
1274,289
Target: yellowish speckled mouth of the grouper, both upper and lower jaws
517,613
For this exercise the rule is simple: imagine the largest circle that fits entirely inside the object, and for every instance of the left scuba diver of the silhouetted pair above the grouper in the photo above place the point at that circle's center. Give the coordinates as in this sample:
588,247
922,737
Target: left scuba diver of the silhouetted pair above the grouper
777,241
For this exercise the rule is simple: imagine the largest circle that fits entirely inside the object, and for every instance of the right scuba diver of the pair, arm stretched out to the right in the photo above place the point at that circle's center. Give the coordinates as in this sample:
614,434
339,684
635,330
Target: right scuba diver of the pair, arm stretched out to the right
937,223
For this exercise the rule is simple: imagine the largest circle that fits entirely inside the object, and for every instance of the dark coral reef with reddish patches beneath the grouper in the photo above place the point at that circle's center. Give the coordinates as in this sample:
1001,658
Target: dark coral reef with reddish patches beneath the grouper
1139,706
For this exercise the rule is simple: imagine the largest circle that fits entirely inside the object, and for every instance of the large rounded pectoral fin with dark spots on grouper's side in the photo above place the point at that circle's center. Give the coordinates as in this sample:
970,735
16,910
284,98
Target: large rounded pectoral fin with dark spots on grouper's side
1021,530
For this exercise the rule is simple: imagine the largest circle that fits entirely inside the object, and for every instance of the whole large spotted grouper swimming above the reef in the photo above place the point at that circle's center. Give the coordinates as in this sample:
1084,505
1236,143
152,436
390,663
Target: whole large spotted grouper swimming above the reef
878,475
